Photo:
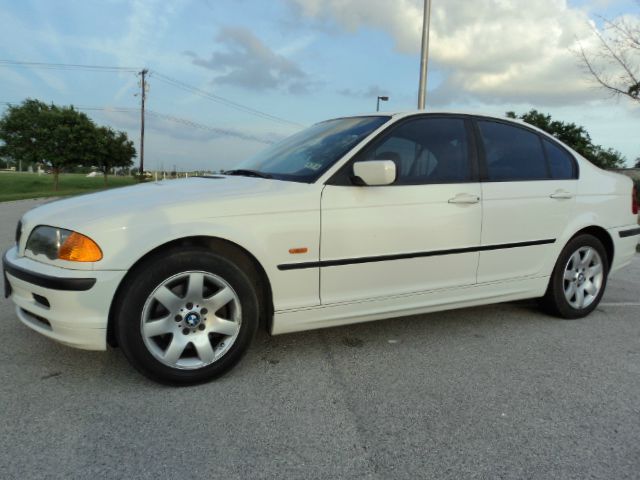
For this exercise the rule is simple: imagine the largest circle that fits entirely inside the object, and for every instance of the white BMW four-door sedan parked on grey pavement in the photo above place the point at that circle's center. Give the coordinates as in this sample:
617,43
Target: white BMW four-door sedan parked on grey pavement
353,219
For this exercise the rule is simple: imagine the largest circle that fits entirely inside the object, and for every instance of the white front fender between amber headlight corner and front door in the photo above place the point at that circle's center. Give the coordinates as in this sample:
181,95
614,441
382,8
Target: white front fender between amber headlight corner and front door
268,237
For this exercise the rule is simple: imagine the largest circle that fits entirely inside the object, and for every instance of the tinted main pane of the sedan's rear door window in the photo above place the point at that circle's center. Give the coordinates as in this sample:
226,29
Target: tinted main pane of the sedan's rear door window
512,153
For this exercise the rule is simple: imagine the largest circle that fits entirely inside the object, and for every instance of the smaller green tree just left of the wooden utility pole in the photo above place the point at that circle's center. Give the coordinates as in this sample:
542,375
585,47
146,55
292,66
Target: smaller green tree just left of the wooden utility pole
111,150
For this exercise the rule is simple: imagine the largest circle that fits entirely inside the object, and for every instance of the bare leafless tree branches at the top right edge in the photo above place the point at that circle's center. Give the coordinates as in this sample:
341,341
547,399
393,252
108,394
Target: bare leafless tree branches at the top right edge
615,62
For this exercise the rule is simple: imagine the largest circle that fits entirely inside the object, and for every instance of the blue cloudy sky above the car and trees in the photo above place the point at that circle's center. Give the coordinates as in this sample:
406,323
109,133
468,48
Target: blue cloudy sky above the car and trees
262,70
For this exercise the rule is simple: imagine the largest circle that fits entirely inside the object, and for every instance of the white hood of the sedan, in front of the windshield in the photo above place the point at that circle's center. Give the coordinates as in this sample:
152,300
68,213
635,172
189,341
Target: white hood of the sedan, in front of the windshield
196,197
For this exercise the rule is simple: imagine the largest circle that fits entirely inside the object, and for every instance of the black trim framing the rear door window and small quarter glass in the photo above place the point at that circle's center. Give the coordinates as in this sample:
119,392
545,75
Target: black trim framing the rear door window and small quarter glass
482,158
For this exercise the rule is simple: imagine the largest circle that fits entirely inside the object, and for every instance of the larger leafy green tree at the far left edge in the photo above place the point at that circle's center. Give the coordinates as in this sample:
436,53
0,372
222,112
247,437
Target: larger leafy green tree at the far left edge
35,132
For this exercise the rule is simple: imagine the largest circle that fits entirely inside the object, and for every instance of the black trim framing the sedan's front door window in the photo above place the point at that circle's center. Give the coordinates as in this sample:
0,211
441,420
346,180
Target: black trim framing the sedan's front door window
340,176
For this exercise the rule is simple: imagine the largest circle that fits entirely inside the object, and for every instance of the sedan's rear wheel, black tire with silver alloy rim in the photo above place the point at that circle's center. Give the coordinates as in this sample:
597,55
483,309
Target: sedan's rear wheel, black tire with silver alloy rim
578,280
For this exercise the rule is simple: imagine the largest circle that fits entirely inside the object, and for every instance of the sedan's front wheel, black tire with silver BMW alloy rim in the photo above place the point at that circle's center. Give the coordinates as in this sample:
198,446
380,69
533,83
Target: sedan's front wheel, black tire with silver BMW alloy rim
186,316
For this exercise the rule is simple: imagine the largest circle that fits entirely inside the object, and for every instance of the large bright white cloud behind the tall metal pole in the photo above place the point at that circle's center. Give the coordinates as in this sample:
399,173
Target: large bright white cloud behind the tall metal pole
492,51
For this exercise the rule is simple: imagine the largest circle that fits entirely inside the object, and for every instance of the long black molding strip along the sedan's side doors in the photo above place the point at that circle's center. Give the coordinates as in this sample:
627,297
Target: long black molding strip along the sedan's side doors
403,256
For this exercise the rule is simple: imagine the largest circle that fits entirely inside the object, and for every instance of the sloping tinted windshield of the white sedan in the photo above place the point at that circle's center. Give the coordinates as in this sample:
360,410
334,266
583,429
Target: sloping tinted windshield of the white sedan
305,156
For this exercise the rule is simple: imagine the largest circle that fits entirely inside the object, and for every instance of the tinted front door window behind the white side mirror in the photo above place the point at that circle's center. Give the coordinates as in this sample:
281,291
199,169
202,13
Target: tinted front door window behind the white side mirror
425,150
